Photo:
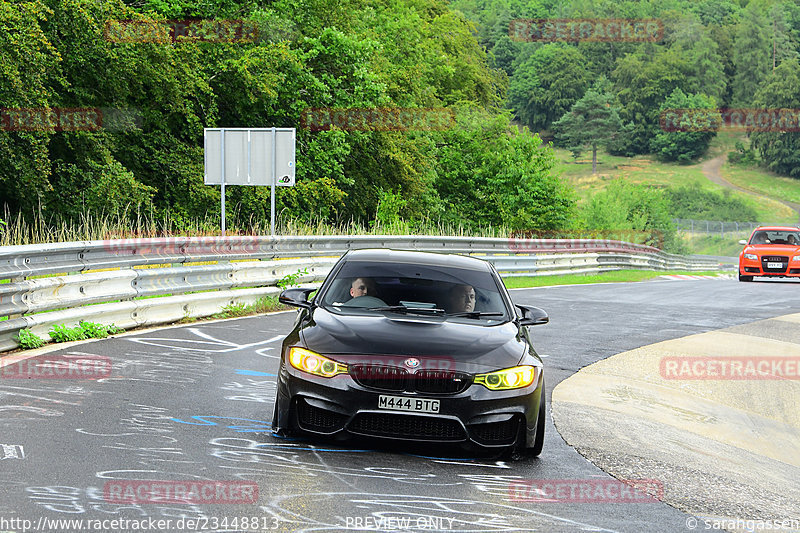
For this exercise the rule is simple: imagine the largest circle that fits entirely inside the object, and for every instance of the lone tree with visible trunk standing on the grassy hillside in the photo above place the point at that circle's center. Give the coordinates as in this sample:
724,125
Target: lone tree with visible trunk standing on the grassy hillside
592,121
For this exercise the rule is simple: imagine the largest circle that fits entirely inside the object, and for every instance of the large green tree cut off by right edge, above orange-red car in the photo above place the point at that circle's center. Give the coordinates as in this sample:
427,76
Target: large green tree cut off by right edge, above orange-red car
780,150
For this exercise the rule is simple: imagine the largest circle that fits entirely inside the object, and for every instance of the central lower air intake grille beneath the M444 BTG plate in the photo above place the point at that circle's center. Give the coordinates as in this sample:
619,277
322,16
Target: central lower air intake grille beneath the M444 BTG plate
406,426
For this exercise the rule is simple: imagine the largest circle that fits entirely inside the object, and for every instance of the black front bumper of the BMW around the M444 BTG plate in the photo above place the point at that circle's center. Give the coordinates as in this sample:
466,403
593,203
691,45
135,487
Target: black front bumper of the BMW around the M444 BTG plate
341,408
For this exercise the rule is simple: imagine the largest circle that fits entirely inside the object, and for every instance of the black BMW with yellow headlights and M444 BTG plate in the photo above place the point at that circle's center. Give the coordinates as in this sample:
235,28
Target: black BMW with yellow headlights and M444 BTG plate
412,346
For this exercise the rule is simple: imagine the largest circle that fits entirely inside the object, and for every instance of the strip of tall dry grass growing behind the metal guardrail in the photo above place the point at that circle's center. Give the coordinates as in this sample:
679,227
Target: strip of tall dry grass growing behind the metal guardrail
89,227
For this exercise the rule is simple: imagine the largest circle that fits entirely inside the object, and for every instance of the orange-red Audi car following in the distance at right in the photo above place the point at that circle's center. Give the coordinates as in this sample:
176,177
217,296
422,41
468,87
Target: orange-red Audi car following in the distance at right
772,251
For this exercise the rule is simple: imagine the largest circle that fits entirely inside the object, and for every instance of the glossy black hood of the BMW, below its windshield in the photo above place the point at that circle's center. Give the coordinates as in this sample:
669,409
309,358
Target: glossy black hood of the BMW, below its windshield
392,338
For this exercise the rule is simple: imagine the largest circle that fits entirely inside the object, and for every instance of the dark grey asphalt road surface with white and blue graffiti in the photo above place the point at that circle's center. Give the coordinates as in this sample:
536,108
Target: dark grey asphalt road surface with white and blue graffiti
194,403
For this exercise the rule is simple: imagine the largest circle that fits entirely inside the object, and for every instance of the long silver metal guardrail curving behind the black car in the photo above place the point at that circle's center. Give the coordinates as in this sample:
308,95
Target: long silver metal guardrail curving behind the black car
140,282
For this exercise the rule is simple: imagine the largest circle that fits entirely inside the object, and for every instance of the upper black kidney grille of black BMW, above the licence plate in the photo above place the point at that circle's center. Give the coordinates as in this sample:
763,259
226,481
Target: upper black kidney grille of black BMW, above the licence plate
391,378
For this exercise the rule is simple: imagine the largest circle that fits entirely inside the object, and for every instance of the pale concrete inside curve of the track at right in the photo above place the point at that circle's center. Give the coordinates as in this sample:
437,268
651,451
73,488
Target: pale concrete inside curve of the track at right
721,442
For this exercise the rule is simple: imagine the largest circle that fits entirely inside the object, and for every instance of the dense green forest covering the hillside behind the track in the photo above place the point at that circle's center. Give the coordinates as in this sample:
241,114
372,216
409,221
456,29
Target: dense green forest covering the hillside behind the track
484,169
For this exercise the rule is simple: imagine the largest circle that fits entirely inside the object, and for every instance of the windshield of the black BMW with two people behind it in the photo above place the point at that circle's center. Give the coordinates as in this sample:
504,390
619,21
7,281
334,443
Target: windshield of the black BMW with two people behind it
419,289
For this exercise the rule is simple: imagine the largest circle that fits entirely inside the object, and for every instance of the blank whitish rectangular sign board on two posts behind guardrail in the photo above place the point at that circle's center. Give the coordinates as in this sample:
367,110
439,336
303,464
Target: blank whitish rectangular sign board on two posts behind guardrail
248,156
